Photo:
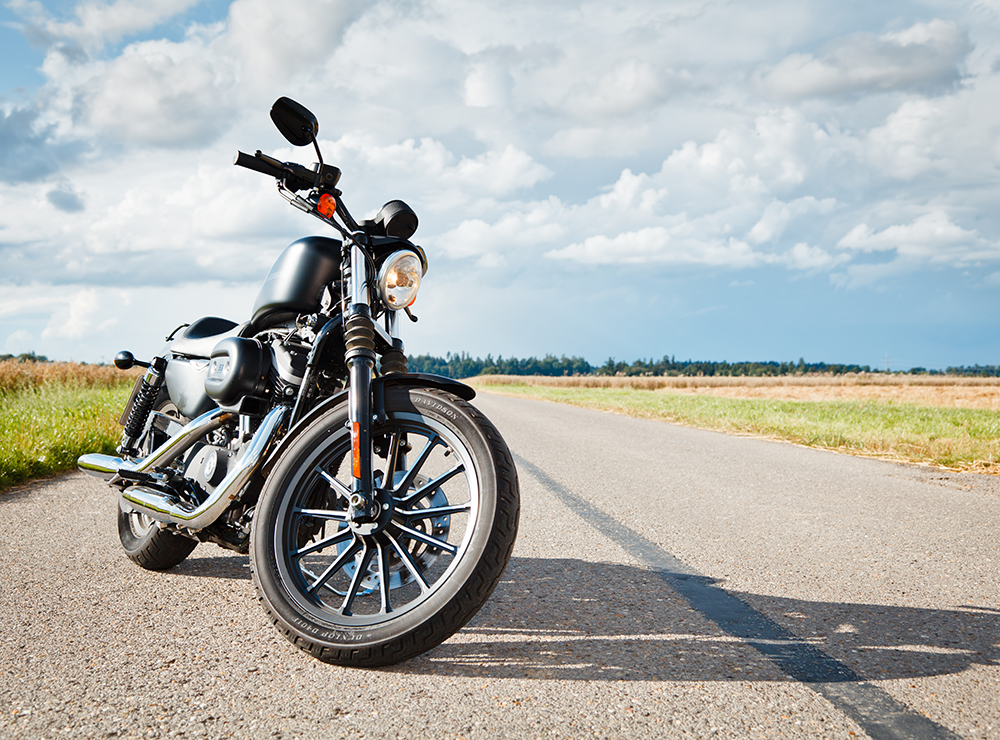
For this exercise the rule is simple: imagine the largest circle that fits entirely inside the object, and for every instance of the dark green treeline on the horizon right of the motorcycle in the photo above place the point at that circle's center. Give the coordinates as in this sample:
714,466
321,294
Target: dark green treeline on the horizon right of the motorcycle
464,366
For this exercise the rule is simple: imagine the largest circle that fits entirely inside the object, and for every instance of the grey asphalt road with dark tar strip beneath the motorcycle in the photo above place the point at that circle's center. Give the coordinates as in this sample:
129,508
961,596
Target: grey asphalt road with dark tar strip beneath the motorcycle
667,582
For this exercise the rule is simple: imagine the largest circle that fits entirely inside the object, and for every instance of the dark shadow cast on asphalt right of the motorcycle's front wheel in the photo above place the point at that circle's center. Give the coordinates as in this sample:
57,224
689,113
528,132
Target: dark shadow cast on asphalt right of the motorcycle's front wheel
570,619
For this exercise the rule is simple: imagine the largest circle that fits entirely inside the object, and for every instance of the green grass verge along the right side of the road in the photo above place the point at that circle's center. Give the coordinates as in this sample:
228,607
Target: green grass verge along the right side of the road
957,439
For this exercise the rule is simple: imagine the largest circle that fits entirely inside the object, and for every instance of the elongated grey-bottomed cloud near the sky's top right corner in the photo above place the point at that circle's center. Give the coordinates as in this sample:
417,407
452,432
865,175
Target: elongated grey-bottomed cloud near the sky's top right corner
926,57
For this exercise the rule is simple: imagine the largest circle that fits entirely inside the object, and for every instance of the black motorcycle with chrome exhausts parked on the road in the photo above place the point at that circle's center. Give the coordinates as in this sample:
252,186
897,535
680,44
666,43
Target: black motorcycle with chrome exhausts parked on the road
379,507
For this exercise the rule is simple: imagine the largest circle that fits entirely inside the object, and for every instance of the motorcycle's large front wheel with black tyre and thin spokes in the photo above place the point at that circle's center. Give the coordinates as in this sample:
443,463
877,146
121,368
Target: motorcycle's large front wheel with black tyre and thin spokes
369,595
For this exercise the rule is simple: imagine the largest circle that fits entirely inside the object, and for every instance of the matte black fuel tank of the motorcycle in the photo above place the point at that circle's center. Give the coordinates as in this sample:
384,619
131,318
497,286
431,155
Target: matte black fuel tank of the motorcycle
296,281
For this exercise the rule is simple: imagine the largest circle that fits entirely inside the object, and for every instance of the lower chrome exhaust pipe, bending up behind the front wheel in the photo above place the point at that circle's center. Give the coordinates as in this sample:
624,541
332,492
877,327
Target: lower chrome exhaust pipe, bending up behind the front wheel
163,507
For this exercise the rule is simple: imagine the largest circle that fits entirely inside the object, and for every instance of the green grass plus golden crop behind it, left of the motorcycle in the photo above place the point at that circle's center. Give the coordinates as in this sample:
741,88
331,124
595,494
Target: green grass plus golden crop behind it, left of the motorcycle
51,413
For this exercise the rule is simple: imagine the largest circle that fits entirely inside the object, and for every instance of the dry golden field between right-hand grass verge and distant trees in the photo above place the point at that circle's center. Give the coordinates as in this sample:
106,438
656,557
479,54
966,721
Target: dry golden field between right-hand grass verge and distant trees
916,390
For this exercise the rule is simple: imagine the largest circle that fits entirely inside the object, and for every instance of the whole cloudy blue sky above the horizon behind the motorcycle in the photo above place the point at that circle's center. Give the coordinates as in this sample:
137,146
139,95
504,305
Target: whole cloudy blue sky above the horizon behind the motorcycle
708,180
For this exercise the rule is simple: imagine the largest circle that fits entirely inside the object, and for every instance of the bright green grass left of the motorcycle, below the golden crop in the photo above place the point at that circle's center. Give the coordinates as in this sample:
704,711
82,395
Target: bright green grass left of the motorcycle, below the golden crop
43,430
